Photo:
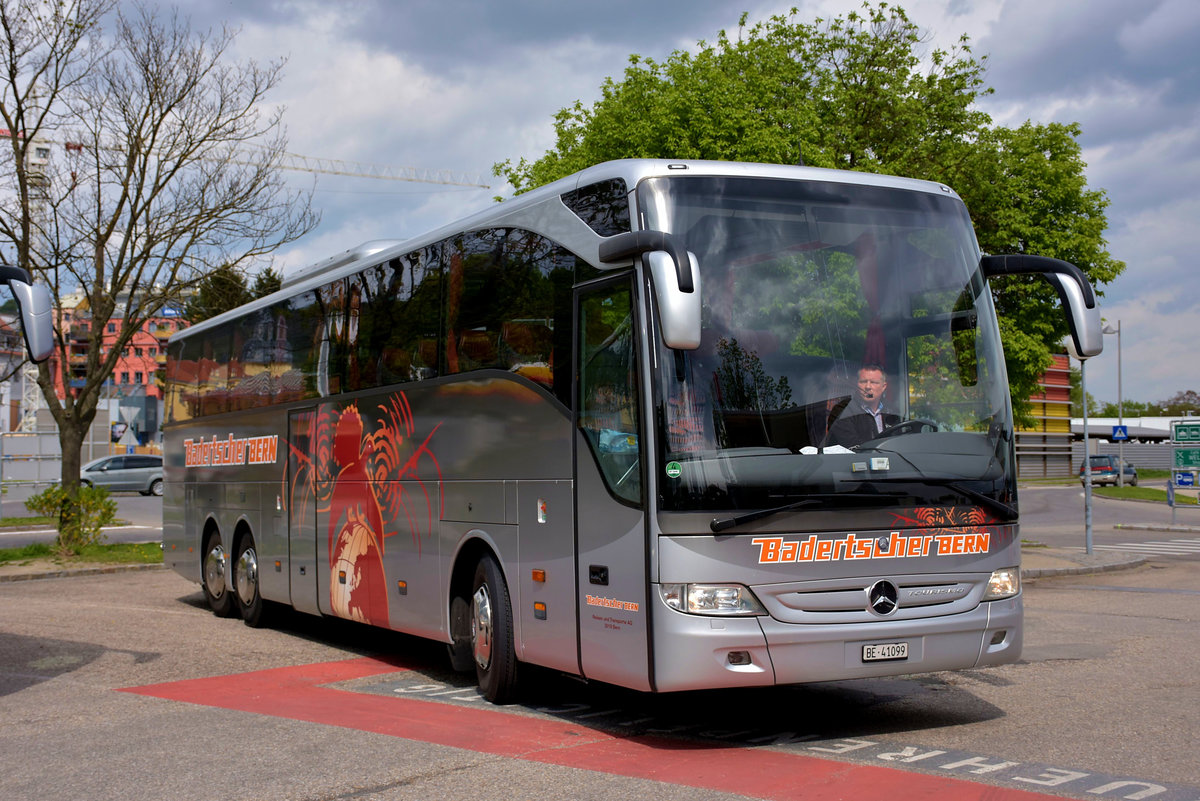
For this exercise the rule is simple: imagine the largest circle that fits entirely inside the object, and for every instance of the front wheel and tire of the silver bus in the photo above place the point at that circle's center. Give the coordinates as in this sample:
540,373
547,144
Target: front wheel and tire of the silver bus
491,634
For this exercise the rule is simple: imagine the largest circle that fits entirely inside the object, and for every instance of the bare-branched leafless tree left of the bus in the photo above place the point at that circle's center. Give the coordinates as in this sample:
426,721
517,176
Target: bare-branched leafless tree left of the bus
139,159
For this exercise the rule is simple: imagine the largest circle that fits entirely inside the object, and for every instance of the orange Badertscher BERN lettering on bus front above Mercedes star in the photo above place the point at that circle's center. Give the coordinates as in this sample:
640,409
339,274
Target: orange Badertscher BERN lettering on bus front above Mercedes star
851,547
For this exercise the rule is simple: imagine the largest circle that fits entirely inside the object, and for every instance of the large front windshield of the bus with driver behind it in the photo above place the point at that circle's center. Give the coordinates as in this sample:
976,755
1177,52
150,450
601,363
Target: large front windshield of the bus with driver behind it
849,356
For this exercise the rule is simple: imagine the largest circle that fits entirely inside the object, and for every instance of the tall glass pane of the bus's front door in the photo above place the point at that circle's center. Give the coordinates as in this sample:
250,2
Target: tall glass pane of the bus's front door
609,414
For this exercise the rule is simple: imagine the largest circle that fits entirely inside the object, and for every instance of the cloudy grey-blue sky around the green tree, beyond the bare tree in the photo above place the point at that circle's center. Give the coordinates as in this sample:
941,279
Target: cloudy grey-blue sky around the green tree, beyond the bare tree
458,86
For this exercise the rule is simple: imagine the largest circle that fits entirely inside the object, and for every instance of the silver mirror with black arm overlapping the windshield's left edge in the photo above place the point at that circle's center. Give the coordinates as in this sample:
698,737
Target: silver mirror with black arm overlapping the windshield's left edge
676,276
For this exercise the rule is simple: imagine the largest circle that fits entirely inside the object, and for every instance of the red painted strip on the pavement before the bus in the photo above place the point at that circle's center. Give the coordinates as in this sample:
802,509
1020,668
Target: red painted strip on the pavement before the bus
298,694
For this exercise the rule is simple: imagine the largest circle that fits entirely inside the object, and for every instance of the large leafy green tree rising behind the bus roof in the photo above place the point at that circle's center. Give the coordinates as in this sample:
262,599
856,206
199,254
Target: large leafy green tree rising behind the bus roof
860,92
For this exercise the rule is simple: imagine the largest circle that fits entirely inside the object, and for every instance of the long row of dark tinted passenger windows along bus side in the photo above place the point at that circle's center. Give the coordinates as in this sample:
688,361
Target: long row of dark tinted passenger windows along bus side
485,300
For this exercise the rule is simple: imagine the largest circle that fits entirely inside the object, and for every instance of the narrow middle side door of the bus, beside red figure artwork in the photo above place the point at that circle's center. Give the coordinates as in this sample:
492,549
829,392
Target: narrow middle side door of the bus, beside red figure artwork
302,502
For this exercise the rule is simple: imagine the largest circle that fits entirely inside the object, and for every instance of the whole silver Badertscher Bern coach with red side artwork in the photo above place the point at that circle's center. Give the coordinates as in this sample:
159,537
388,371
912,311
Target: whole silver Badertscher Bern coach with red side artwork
595,429
